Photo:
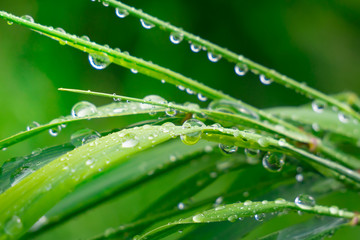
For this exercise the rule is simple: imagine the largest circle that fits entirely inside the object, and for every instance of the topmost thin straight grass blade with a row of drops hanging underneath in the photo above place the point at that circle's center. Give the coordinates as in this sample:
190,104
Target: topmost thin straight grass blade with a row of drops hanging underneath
237,59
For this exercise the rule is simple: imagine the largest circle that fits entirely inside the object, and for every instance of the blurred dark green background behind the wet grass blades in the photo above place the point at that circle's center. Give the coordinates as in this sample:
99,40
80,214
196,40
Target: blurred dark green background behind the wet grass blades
315,42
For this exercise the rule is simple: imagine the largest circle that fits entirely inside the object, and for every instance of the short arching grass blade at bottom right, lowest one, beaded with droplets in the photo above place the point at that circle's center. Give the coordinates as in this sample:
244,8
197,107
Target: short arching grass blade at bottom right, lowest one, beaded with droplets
232,212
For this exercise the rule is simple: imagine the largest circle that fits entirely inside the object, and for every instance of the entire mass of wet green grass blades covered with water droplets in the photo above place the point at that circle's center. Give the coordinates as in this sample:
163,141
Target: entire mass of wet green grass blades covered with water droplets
223,170
